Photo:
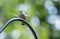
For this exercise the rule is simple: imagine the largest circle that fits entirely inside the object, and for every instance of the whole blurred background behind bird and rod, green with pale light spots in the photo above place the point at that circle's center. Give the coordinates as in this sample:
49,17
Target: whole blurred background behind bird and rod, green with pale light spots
42,15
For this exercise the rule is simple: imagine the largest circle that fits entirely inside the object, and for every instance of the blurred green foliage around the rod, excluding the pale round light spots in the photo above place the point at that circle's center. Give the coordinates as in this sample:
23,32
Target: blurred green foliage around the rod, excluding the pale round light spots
9,7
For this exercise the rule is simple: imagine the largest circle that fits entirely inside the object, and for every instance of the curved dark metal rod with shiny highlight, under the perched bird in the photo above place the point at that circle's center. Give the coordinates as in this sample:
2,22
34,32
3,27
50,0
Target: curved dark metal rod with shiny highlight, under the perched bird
18,19
